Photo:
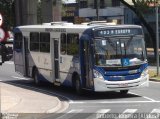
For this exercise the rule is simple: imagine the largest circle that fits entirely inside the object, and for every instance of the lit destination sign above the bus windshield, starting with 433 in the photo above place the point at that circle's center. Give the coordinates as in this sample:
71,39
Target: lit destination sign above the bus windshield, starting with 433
119,31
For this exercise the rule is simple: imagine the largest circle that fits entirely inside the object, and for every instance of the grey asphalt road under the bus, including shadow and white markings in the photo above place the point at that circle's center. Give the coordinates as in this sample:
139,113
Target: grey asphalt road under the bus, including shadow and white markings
137,104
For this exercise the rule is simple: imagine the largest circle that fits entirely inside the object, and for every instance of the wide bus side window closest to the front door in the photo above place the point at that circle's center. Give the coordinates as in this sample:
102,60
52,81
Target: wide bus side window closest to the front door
72,44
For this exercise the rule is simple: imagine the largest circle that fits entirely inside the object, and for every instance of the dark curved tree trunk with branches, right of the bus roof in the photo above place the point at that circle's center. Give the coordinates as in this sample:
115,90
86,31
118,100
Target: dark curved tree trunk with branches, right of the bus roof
138,7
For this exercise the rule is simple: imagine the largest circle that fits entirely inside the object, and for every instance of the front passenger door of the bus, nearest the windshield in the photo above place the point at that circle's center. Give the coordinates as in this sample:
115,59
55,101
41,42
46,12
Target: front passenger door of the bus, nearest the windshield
86,64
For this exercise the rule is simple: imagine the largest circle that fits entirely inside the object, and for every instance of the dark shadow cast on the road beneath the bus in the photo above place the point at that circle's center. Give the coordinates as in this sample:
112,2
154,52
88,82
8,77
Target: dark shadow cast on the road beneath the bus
65,93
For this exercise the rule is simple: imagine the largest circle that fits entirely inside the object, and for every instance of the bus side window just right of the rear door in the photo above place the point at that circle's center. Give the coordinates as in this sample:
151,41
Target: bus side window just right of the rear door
34,41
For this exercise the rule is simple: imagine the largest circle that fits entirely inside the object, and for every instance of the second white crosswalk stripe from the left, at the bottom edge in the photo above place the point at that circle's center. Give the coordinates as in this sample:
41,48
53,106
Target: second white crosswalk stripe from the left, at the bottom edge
99,114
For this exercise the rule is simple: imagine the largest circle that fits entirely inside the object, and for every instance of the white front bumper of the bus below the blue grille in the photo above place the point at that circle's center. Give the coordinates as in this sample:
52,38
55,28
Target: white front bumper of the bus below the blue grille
101,85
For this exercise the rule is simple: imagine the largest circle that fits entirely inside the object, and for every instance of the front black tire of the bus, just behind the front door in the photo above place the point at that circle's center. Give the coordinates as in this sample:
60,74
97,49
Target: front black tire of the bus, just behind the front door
78,86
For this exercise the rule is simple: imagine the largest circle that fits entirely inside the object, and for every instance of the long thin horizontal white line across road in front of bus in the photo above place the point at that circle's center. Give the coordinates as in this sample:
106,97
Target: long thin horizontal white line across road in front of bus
112,102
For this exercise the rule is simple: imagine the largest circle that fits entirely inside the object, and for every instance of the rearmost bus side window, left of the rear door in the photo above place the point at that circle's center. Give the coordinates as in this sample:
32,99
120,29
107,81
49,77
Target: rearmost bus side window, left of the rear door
18,41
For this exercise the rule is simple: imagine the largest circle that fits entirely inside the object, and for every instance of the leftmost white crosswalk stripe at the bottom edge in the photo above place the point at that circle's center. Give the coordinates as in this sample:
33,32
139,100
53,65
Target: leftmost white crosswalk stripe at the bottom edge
70,114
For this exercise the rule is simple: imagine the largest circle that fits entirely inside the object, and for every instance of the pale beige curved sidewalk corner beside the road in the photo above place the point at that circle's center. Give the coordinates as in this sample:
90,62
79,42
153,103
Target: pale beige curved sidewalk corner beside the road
19,100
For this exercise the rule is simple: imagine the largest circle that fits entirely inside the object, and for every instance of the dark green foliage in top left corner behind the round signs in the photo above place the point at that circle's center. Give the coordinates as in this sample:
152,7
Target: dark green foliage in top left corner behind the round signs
7,11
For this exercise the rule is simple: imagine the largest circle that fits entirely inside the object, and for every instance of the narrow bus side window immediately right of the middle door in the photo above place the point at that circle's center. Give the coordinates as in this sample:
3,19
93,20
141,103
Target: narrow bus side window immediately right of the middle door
63,44
